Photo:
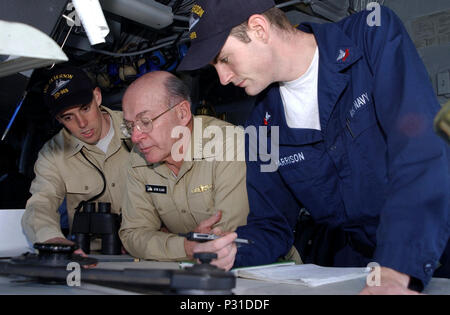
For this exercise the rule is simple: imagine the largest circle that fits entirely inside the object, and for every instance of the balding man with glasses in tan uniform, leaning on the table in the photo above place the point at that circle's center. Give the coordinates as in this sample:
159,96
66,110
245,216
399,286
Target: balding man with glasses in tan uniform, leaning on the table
173,186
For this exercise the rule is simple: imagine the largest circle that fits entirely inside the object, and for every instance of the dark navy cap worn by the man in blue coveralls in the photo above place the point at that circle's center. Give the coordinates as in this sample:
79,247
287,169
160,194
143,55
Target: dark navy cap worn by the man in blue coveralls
210,25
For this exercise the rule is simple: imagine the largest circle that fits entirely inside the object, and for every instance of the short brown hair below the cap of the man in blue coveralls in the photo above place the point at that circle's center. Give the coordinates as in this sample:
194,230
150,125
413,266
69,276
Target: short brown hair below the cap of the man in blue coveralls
275,16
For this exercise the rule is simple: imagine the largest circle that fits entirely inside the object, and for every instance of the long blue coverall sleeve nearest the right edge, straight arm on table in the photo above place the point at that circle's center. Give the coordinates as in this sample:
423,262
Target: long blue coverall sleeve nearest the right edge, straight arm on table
414,222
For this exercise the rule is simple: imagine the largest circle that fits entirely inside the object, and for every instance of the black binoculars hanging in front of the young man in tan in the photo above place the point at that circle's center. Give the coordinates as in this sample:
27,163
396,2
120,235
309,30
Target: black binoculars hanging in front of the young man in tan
89,224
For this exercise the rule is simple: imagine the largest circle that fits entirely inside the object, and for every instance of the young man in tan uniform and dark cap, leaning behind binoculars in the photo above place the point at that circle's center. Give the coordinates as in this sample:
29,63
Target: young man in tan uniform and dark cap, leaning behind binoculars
86,157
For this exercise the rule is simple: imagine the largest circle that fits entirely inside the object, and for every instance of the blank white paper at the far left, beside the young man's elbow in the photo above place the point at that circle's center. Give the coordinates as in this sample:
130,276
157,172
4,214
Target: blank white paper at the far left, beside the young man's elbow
13,241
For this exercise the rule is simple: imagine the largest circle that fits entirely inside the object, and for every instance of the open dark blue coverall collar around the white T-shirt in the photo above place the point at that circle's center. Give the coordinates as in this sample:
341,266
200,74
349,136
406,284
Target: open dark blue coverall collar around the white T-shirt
332,42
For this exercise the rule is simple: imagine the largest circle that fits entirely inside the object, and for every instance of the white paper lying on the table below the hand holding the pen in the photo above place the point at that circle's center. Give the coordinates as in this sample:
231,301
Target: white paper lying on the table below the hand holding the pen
308,274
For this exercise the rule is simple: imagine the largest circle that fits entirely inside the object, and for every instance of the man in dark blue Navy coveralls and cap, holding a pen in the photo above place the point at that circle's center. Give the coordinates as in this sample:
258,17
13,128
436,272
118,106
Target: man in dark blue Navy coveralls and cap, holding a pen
354,107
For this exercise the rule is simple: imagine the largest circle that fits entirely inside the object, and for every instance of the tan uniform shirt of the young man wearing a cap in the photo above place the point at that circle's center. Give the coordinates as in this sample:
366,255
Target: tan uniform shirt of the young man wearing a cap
61,171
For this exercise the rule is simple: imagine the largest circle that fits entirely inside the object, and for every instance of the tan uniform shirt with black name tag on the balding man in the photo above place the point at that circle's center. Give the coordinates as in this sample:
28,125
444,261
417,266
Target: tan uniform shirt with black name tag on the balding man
156,198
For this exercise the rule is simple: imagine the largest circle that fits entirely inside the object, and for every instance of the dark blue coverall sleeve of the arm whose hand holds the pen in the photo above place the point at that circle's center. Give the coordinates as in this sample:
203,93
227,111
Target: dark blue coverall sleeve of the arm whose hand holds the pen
271,220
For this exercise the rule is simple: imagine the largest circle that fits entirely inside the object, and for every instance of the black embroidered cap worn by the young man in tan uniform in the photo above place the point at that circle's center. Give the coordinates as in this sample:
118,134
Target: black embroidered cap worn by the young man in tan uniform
67,87
